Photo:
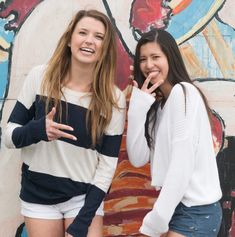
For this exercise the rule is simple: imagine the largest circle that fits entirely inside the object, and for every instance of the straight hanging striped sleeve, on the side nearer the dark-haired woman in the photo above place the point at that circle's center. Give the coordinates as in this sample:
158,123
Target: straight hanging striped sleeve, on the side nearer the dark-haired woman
108,157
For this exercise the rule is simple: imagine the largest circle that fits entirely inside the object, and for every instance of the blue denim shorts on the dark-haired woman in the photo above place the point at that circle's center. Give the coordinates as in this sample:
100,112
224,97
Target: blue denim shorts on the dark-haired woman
197,221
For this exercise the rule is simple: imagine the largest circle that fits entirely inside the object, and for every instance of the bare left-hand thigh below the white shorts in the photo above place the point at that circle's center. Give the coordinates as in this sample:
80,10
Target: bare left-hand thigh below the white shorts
44,228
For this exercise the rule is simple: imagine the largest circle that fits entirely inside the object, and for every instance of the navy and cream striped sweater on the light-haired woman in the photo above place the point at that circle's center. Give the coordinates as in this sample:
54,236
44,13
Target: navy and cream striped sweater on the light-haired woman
55,171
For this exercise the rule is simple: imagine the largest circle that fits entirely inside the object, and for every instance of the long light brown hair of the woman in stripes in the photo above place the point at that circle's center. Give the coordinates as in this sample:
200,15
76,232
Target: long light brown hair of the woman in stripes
103,98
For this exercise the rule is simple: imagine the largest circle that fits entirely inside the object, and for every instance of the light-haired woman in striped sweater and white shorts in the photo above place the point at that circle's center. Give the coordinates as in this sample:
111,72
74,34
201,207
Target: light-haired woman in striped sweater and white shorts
68,121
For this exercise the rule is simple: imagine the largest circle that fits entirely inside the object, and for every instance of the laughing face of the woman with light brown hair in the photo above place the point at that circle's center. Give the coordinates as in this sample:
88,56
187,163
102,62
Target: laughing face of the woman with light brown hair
87,41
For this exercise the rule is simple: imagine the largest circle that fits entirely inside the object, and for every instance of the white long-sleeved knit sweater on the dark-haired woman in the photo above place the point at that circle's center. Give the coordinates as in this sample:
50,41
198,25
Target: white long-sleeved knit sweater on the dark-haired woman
183,162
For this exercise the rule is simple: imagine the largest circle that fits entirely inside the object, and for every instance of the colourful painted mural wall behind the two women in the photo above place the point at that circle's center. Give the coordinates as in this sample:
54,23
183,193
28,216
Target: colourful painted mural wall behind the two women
205,31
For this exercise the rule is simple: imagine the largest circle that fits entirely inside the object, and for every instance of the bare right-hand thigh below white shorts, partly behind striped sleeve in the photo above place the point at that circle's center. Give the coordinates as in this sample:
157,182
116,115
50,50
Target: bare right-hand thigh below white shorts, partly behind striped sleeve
95,229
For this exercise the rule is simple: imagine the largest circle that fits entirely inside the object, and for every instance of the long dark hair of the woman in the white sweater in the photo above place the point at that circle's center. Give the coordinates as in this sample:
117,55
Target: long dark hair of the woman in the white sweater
177,73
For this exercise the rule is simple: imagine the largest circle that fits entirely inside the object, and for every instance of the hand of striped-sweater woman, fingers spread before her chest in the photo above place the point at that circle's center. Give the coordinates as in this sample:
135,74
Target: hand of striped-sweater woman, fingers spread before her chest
53,129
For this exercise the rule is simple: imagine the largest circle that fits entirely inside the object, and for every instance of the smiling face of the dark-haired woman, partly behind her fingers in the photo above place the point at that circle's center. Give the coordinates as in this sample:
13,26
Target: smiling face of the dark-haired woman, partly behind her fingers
153,60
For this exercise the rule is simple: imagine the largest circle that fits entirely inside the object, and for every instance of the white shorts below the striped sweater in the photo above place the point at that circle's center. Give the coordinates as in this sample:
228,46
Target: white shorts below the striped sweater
68,209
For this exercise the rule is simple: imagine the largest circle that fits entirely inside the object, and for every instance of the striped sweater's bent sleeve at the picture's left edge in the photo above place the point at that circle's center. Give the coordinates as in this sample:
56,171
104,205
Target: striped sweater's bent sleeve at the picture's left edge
22,129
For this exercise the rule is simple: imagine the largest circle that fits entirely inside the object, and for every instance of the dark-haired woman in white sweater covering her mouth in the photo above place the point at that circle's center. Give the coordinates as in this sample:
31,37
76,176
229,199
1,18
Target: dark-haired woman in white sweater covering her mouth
174,134
